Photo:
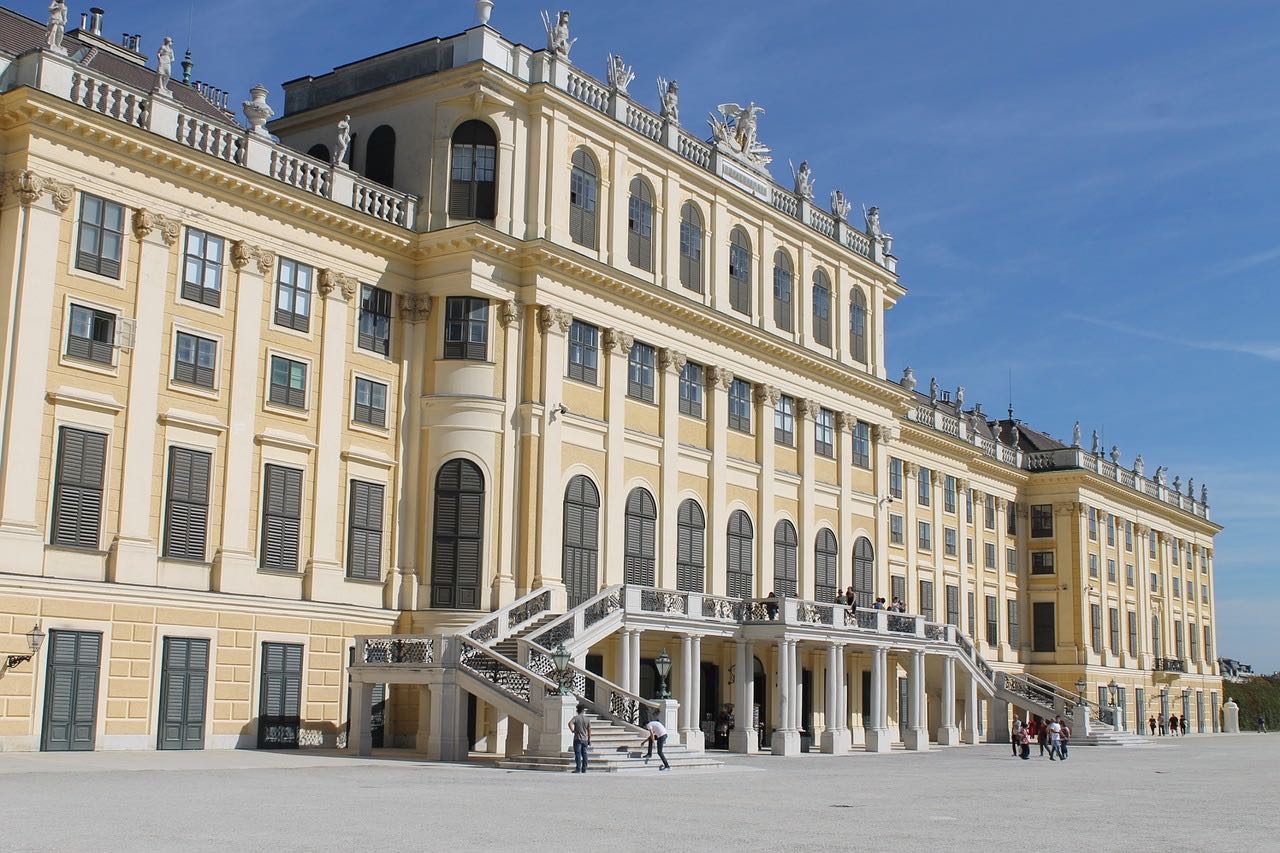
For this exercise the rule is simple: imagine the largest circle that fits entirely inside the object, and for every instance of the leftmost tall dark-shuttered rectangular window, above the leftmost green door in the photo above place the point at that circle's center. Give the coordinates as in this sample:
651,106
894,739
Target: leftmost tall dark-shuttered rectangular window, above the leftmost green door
79,489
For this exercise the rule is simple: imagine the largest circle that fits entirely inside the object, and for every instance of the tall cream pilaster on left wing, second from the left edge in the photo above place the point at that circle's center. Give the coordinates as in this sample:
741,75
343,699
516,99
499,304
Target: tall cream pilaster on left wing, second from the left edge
134,554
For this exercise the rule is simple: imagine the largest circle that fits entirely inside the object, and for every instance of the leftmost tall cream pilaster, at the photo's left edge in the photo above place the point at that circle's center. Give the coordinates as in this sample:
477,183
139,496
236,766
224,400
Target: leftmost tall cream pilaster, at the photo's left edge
29,238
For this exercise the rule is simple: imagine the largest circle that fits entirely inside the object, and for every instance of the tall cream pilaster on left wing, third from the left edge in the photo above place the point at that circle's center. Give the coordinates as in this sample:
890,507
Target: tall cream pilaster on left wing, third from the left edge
236,563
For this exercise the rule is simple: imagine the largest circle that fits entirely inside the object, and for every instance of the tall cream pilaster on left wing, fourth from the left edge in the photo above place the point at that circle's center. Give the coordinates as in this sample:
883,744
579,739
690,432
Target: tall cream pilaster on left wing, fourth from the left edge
324,572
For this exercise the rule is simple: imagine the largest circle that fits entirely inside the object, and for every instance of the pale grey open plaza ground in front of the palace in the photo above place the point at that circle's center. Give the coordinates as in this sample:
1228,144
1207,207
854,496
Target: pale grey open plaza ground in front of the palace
1190,795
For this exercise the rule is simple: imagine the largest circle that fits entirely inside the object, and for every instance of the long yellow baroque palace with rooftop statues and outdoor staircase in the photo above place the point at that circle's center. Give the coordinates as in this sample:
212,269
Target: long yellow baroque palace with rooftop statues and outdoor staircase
473,381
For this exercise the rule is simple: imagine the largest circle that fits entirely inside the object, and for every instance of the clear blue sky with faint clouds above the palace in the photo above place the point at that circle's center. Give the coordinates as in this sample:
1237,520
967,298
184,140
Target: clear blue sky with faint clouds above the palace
1084,195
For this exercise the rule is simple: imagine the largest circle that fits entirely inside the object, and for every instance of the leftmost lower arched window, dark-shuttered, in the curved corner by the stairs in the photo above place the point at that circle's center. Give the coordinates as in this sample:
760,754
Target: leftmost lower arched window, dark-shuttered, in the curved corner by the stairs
458,536
